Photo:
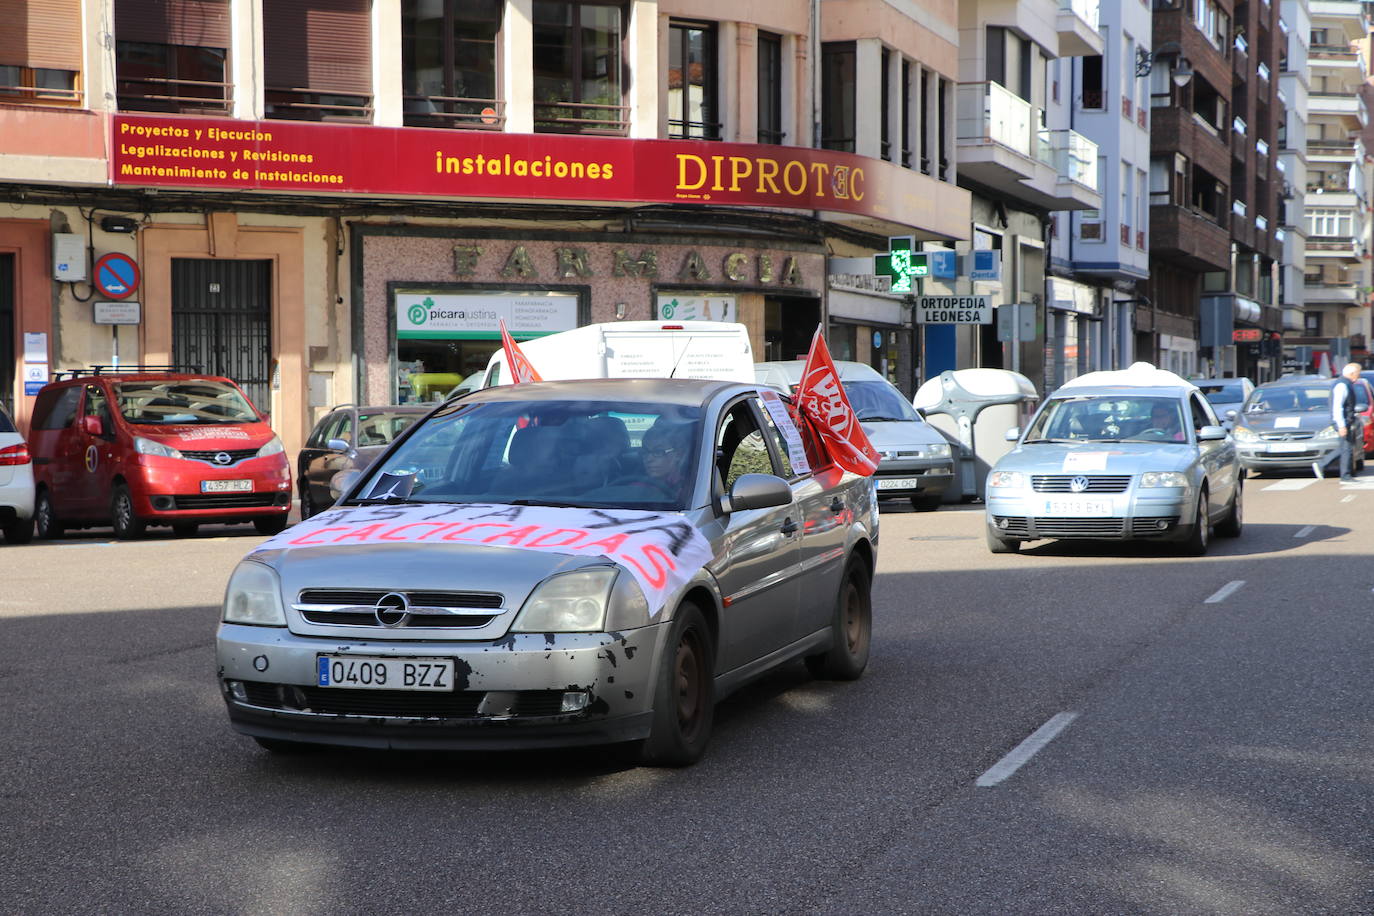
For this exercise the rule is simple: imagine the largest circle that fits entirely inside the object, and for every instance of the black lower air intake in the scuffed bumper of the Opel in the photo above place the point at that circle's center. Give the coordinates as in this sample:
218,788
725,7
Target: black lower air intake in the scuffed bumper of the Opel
326,701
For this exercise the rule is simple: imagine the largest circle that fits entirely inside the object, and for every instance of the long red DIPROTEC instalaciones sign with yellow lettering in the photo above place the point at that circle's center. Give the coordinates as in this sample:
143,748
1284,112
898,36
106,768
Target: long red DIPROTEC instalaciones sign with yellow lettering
326,159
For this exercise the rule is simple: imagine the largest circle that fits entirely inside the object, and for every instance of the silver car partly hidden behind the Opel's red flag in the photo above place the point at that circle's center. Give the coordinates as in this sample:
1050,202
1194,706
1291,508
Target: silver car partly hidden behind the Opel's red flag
916,461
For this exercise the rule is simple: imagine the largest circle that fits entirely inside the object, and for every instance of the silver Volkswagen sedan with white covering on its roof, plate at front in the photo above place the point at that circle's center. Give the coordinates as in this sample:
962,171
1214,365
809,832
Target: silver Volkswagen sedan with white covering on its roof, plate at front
1118,462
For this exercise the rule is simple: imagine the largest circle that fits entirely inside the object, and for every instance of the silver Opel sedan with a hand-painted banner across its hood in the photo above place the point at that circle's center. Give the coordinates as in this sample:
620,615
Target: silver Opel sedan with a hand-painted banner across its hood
550,565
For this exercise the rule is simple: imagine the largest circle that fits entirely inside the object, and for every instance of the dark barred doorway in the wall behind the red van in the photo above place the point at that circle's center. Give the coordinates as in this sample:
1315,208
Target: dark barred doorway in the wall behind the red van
222,322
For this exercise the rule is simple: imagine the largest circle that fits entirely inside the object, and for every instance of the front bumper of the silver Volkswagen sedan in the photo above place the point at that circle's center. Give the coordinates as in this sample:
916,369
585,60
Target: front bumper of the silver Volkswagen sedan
1164,514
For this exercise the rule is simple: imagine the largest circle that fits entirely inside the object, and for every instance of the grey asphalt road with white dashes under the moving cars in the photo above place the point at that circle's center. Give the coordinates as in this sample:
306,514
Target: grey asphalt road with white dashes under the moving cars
1215,749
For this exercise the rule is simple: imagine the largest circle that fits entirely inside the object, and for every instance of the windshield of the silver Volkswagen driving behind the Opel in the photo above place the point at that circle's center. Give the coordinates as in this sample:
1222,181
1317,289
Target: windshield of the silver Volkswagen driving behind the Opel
1110,420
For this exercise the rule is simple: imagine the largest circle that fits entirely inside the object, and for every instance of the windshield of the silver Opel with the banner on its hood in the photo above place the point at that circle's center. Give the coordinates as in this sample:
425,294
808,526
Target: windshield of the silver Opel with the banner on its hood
548,453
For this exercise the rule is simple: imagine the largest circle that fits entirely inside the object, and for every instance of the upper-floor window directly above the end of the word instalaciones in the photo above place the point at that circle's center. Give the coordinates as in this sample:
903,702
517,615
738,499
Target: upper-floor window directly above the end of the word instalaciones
579,68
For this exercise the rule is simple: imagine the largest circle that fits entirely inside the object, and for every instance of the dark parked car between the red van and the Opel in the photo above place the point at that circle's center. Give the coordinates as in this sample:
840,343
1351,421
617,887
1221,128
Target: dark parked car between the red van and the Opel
348,439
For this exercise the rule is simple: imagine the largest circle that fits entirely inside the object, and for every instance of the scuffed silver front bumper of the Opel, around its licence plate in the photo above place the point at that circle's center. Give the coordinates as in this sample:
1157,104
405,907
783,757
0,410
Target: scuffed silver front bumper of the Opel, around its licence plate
506,691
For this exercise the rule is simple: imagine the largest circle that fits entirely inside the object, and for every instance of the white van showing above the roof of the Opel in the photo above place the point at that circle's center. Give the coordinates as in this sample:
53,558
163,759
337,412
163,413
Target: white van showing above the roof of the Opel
637,350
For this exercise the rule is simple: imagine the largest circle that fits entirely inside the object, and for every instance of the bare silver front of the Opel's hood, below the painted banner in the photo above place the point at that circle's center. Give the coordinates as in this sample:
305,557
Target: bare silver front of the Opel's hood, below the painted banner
420,566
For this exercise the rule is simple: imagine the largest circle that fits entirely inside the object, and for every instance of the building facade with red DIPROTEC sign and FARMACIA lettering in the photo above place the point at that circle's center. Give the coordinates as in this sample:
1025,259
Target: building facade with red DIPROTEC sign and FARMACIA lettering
339,201
